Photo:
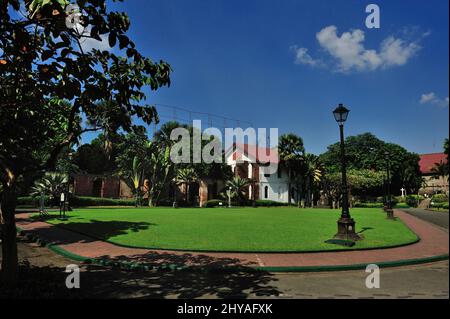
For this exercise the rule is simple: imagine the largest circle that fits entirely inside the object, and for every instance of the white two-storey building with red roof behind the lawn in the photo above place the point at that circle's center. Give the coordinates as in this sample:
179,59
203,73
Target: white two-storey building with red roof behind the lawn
244,162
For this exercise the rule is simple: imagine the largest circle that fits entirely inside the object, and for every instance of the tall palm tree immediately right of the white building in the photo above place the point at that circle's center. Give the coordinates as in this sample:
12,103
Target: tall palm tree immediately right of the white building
290,150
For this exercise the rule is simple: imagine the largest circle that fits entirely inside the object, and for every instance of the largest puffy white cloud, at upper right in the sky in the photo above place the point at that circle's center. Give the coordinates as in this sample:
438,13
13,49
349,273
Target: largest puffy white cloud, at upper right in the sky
350,54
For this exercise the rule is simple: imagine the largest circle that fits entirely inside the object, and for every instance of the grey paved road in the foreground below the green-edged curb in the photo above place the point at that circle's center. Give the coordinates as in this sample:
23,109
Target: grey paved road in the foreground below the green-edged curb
44,277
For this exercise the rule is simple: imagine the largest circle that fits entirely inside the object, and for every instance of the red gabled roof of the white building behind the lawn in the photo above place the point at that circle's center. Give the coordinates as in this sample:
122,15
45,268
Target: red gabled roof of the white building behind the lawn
253,153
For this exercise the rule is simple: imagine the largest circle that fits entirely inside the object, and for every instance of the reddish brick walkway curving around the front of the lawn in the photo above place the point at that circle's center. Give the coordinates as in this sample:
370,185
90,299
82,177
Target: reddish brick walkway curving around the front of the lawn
434,242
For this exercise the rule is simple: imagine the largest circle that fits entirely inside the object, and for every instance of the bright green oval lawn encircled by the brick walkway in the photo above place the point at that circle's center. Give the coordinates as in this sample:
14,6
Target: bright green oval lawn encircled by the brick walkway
235,229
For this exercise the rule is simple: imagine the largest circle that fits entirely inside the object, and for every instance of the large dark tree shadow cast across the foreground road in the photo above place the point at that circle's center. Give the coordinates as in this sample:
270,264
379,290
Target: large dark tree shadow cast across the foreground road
48,282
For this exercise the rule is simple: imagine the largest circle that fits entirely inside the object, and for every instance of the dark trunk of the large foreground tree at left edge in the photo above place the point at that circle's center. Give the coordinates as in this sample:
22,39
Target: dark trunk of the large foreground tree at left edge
9,246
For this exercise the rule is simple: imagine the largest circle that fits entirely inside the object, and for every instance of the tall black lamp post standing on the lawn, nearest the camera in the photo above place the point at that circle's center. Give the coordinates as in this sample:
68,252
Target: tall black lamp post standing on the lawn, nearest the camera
346,224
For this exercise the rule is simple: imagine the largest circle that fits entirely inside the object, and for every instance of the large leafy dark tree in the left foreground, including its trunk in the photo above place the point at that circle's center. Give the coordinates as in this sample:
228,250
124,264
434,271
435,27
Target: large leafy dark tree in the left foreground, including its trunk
44,60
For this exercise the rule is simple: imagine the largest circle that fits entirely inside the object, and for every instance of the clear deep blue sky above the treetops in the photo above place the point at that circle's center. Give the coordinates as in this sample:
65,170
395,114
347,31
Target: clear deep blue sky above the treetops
287,64
